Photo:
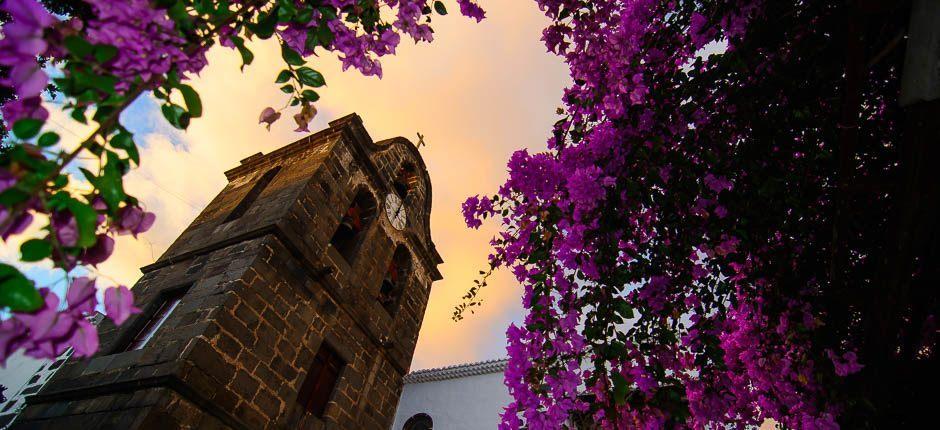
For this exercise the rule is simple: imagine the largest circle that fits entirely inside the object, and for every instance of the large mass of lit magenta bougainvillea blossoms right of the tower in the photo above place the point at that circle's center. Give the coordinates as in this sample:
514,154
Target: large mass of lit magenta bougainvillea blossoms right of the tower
626,217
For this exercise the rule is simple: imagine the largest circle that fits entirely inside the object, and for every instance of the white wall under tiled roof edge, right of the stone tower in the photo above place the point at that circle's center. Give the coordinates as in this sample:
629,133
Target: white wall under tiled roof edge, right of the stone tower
467,403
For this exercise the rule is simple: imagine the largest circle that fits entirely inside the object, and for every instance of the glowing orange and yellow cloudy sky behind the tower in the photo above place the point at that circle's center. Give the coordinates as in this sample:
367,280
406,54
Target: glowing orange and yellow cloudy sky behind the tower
477,93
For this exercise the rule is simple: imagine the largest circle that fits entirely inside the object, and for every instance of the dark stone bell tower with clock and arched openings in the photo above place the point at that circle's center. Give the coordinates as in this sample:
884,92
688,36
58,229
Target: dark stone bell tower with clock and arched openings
293,301
